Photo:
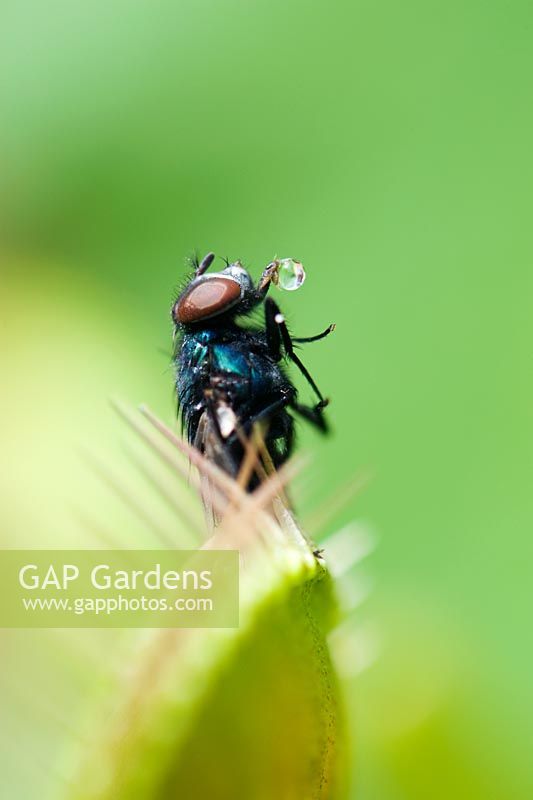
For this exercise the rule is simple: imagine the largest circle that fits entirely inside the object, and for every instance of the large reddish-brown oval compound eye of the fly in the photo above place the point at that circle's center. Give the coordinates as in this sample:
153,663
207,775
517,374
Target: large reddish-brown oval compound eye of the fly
206,298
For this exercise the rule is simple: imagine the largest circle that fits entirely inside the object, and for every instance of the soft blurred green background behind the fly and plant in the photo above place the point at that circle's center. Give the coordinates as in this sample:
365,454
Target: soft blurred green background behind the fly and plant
388,146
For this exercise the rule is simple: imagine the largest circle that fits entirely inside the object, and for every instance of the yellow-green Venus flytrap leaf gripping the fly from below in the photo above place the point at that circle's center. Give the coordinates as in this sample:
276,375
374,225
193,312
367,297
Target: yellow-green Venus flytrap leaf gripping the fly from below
252,712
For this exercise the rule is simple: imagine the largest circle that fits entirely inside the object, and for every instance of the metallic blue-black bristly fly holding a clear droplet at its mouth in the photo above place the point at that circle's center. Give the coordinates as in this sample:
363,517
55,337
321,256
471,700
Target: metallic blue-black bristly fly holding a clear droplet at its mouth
230,376
